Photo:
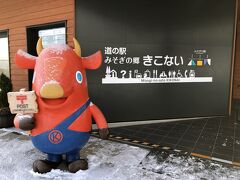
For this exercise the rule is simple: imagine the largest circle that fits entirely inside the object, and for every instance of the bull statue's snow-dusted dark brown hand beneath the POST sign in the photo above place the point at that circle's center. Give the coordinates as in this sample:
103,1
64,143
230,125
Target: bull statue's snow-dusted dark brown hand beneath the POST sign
26,122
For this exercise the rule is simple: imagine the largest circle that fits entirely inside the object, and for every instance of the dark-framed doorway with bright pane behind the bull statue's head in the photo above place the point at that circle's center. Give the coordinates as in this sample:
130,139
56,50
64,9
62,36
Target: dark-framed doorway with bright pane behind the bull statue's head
51,35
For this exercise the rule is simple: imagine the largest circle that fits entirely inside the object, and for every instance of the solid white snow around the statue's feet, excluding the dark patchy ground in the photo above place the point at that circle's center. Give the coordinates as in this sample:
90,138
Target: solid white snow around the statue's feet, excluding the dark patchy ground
107,160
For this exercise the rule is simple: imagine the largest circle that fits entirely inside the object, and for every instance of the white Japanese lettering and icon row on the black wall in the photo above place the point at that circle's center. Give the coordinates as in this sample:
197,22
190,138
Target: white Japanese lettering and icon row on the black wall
155,68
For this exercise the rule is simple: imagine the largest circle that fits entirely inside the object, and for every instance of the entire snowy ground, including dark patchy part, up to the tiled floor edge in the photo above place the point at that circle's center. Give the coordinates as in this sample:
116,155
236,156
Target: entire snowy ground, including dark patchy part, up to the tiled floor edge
108,160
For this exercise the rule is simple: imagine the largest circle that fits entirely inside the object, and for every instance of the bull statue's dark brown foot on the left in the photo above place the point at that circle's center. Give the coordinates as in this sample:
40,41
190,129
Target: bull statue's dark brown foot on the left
44,166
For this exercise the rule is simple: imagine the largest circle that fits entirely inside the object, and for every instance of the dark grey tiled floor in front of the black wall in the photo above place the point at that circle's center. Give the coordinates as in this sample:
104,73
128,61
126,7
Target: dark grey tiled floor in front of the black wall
214,137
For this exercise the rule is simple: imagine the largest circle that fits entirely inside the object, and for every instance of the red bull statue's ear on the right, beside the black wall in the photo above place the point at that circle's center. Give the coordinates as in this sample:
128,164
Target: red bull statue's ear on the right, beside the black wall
92,62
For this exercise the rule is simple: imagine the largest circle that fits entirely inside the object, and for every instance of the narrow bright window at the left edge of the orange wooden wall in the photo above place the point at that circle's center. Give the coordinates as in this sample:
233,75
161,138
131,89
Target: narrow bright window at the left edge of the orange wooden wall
4,54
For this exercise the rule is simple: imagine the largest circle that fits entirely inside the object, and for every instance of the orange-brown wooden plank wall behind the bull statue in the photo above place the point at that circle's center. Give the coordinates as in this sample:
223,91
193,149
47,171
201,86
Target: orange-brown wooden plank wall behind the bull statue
17,15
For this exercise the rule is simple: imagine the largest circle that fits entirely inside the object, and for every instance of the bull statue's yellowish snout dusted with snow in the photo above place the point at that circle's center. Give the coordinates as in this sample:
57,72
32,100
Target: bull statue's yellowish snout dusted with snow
51,90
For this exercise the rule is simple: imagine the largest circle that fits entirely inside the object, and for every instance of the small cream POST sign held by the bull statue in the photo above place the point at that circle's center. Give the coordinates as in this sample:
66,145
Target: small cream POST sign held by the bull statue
23,102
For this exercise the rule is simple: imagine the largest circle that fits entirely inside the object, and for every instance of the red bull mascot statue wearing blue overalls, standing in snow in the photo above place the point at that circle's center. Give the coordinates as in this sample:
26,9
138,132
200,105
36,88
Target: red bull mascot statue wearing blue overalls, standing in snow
64,120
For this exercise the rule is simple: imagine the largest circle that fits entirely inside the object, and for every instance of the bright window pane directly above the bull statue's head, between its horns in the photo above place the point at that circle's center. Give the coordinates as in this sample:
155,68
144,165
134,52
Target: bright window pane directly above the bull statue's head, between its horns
53,36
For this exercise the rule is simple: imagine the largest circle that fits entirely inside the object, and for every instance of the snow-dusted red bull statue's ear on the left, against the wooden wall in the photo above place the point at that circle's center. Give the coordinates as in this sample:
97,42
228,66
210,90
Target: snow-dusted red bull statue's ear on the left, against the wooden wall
25,60
